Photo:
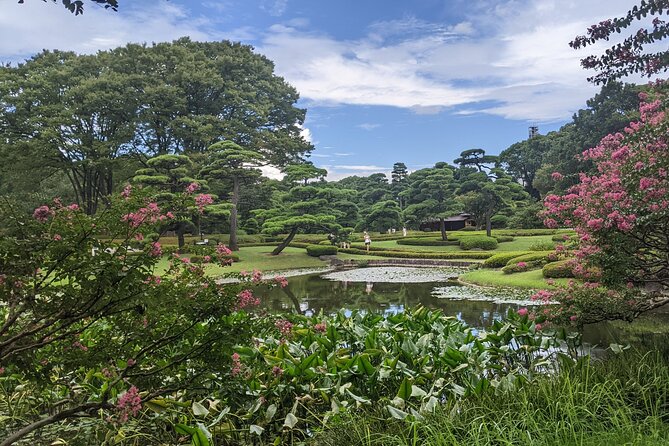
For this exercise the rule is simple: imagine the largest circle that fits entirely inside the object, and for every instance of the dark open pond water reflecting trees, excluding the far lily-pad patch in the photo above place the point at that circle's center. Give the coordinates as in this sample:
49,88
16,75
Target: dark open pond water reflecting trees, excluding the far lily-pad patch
311,294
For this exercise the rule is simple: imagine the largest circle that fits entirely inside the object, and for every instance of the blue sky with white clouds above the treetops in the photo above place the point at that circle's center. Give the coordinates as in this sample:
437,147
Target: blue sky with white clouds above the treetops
383,81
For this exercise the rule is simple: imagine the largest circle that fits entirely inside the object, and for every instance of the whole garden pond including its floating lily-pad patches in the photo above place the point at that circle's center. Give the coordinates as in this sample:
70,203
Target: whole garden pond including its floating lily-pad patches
388,290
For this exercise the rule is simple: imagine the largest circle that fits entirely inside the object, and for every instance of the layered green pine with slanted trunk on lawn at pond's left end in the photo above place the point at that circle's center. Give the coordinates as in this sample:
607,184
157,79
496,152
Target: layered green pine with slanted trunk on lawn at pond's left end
305,207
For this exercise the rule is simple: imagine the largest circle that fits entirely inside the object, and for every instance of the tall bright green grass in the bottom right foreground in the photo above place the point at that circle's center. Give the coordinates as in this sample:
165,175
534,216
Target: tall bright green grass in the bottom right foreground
621,401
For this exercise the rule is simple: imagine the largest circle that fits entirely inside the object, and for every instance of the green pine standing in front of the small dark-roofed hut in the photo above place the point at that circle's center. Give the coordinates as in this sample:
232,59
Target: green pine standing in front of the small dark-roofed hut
431,195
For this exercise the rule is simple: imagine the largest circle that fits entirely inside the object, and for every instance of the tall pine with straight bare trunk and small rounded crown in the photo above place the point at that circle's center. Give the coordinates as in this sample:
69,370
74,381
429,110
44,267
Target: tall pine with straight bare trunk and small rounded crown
228,163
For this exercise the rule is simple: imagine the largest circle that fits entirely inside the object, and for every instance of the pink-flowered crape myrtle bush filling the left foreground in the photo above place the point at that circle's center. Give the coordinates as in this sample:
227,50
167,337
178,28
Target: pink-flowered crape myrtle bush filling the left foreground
94,337
